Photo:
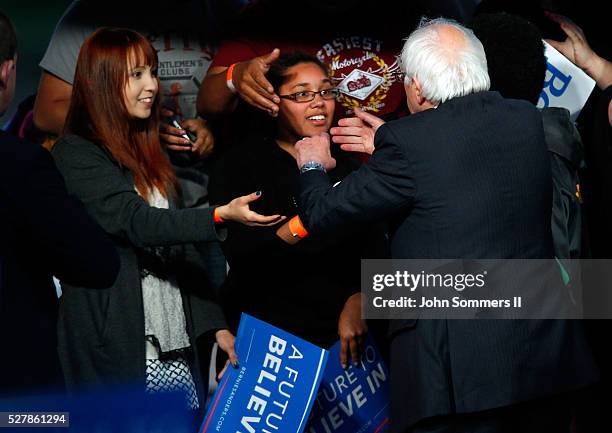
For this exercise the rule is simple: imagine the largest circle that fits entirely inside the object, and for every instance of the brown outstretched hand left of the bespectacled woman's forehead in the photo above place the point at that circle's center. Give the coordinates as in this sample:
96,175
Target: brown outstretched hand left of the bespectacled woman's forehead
250,81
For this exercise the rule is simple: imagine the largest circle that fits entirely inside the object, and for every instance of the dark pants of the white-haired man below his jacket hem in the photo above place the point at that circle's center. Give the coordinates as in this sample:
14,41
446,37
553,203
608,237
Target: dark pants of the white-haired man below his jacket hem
549,415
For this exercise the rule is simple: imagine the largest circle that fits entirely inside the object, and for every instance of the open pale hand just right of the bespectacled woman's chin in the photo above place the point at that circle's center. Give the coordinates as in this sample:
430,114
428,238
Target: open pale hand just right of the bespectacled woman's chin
356,134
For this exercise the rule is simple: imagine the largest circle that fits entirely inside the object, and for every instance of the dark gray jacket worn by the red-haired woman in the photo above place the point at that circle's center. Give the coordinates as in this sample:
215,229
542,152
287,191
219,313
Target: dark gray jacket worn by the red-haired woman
101,332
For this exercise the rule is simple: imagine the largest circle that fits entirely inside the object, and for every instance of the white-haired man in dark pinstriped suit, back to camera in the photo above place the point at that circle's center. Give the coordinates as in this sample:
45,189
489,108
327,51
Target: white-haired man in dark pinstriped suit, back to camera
466,176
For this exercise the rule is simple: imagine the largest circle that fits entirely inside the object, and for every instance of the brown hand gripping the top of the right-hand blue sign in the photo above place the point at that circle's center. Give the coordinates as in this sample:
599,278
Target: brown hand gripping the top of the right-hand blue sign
352,330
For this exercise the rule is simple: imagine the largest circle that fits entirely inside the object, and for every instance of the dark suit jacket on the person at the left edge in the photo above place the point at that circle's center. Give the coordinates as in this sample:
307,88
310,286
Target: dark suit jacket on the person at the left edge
43,232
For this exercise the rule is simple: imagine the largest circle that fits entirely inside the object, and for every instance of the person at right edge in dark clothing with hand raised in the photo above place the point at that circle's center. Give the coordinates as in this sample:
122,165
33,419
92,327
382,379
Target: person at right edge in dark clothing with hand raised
595,125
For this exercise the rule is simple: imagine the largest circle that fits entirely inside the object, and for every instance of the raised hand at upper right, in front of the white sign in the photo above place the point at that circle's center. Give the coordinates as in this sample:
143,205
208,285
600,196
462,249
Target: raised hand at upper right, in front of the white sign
577,50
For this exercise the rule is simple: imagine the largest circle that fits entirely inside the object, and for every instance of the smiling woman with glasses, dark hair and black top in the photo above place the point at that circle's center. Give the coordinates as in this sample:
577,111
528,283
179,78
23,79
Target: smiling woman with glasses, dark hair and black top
301,288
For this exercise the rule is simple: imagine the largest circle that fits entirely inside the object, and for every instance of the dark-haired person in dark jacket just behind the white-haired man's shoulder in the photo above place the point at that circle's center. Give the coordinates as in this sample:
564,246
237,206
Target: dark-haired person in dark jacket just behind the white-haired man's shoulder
517,68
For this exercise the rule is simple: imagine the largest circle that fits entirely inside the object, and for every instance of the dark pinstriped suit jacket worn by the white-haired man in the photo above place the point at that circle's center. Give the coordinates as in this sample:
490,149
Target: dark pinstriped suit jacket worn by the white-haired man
470,179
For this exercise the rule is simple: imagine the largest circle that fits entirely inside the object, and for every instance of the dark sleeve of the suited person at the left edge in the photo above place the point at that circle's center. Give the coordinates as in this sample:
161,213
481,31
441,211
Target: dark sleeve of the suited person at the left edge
73,246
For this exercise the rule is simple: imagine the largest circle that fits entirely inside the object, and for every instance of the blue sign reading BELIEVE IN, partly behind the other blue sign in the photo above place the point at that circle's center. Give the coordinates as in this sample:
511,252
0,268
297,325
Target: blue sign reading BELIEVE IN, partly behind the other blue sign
355,400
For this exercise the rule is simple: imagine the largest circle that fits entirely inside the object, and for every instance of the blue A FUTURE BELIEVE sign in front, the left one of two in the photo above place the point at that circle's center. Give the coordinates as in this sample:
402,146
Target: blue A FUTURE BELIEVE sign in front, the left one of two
273,389
